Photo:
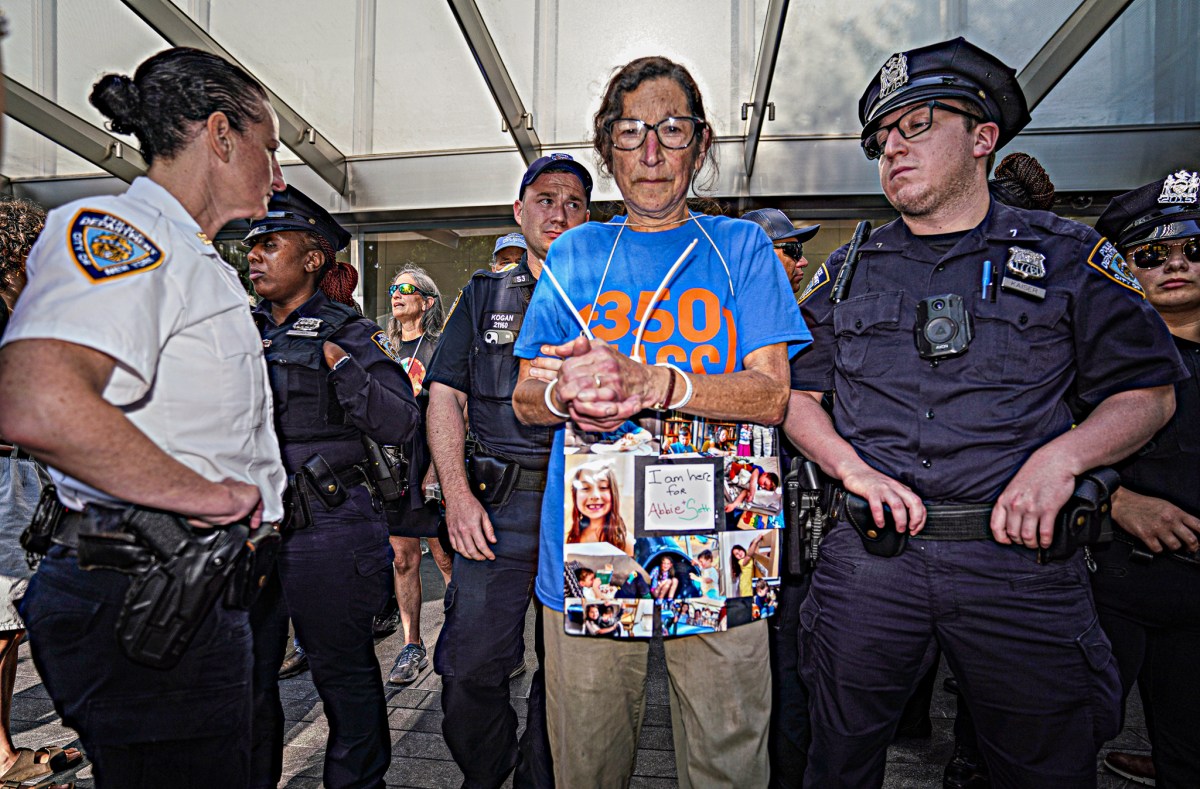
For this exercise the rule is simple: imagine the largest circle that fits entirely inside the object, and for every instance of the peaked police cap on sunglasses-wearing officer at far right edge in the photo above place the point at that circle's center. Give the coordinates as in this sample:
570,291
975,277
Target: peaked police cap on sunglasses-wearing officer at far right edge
1159,212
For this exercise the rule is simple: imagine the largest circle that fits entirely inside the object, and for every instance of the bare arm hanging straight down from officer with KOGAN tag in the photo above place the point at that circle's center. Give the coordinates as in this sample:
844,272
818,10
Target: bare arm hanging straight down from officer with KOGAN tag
467,522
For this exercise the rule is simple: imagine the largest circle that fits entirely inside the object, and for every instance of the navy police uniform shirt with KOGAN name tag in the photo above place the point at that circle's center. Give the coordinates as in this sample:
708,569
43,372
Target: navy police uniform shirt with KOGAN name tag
476,357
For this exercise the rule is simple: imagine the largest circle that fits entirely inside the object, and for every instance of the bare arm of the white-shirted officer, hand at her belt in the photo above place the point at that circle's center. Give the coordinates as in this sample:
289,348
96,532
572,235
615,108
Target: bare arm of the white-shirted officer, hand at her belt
51,403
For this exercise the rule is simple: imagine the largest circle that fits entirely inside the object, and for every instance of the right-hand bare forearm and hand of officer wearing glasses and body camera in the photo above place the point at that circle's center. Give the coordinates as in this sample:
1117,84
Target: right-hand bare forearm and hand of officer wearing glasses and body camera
1025,511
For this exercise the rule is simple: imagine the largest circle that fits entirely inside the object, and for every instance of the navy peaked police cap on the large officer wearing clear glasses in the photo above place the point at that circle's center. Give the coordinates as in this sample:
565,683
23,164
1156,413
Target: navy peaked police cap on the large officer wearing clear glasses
952,69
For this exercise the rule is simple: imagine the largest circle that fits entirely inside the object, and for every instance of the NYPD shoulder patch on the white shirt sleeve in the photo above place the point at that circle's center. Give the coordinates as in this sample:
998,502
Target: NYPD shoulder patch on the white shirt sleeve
107,248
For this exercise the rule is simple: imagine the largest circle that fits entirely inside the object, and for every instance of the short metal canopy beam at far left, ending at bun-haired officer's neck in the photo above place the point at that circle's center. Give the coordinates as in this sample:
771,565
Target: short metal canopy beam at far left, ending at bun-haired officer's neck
73,132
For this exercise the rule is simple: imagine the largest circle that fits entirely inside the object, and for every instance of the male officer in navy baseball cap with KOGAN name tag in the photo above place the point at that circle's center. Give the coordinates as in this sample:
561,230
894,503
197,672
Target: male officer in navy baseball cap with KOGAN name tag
495,529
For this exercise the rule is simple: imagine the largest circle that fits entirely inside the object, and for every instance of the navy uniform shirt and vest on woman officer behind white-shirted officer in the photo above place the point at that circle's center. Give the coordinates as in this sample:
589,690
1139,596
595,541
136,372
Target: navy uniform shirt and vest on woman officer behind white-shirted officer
323,411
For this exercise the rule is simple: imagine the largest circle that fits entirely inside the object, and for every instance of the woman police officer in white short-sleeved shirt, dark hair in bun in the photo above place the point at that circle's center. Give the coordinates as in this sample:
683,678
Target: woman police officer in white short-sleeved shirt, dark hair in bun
134,370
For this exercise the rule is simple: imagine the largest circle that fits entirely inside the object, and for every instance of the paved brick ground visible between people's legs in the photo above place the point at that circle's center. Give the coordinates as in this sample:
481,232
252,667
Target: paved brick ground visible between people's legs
421,757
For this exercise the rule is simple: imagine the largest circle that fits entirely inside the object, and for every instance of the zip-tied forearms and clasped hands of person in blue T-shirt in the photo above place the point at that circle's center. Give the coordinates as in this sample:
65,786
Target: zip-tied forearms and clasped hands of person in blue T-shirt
602,388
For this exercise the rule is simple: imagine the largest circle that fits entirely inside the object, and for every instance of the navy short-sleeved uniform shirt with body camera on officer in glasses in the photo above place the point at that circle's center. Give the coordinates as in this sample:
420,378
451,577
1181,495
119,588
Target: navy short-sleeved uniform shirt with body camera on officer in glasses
1070,324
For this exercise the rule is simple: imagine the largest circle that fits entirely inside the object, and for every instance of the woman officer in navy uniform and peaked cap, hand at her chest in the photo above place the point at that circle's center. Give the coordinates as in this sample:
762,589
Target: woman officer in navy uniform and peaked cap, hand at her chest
335,381
